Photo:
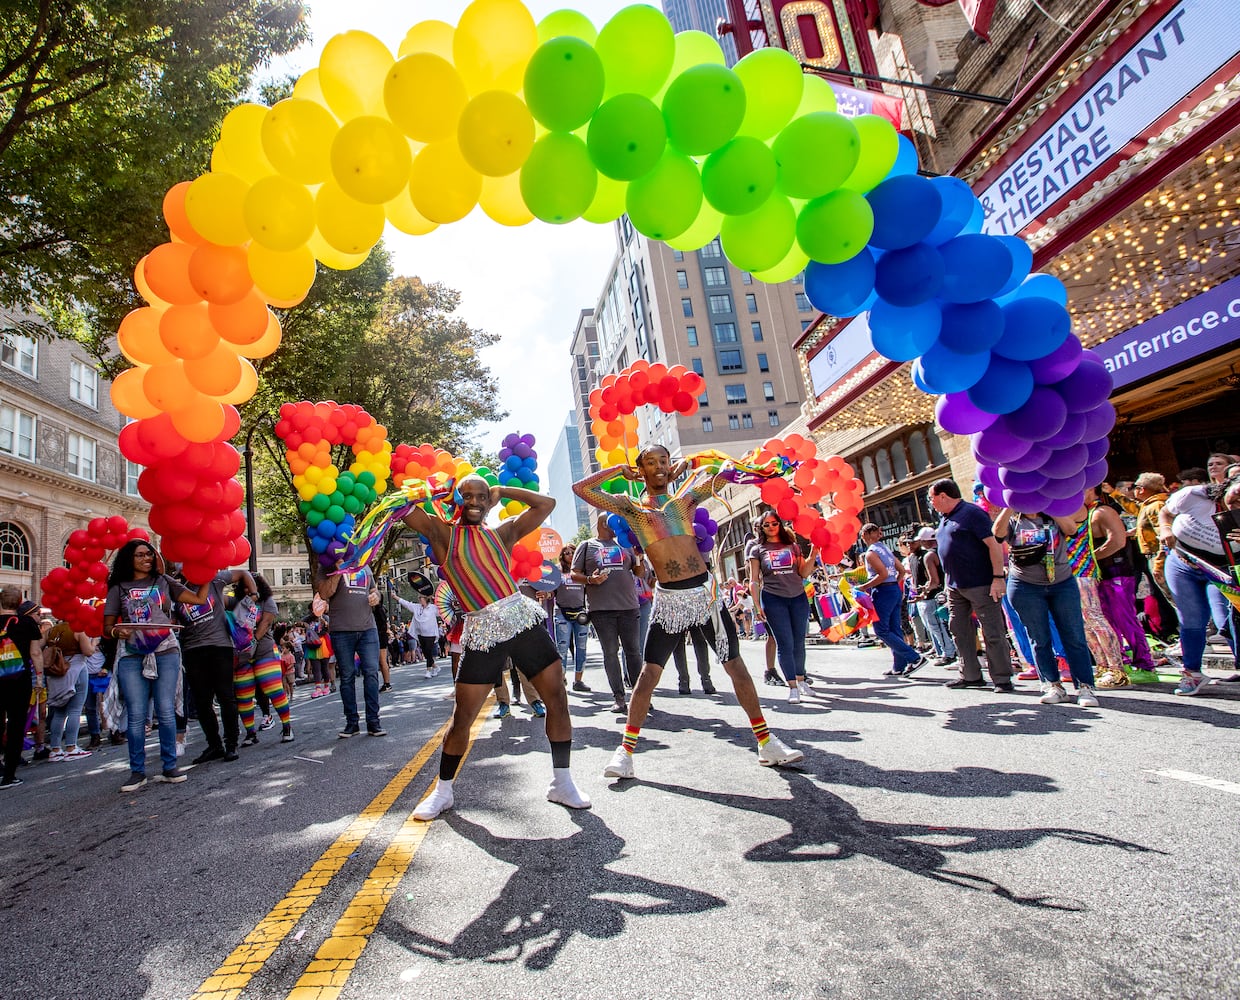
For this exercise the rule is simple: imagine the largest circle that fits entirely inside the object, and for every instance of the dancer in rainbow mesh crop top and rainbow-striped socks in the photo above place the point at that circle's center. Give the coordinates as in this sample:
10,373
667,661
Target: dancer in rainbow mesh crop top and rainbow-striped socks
685,599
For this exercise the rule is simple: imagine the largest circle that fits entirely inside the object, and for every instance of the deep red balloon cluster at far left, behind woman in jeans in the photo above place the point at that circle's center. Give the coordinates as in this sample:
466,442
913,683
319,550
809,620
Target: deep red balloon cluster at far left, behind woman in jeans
75,592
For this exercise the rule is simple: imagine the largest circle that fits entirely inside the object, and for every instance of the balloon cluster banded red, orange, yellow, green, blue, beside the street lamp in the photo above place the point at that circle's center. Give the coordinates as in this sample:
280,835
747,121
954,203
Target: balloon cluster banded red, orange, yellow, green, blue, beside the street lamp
329,499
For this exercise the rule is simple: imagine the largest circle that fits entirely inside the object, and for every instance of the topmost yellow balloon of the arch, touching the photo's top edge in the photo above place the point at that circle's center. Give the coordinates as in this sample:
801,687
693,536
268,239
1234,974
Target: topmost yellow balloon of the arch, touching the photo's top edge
493,44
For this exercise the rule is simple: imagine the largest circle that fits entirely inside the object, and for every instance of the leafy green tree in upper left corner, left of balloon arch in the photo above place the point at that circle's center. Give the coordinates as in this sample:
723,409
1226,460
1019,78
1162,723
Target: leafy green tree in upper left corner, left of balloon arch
105,105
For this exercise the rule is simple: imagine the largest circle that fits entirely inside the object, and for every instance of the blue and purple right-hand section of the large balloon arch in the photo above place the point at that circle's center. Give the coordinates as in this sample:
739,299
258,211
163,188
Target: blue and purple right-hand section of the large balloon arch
993,341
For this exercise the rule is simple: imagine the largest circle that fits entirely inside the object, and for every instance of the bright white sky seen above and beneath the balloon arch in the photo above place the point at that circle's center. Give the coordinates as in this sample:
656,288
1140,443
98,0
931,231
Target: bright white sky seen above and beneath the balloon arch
525,285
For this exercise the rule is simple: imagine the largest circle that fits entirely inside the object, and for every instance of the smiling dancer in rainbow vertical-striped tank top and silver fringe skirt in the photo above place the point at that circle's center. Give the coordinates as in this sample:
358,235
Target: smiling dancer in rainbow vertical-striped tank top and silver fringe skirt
499,623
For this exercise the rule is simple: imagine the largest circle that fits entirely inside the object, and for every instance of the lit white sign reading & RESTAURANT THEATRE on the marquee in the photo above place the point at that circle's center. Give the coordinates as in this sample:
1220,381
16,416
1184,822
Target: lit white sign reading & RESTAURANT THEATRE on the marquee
1182,50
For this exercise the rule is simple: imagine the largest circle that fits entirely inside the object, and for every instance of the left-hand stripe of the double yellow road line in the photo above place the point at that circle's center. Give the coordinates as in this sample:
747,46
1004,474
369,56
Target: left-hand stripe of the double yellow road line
234,975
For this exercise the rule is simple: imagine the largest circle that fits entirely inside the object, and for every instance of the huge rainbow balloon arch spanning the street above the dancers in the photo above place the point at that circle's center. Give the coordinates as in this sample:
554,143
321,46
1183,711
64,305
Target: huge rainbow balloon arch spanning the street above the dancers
556,121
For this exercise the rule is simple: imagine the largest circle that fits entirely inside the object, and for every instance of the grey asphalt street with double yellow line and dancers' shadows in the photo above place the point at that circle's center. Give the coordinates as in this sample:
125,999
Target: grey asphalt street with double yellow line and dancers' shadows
933,843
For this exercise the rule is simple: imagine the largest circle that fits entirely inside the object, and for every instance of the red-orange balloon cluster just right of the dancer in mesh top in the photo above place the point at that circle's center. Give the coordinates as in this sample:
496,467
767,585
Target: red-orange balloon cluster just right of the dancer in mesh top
815,482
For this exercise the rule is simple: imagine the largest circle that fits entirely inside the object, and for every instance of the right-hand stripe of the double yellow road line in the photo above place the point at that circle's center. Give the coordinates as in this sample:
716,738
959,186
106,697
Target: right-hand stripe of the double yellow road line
328,973
